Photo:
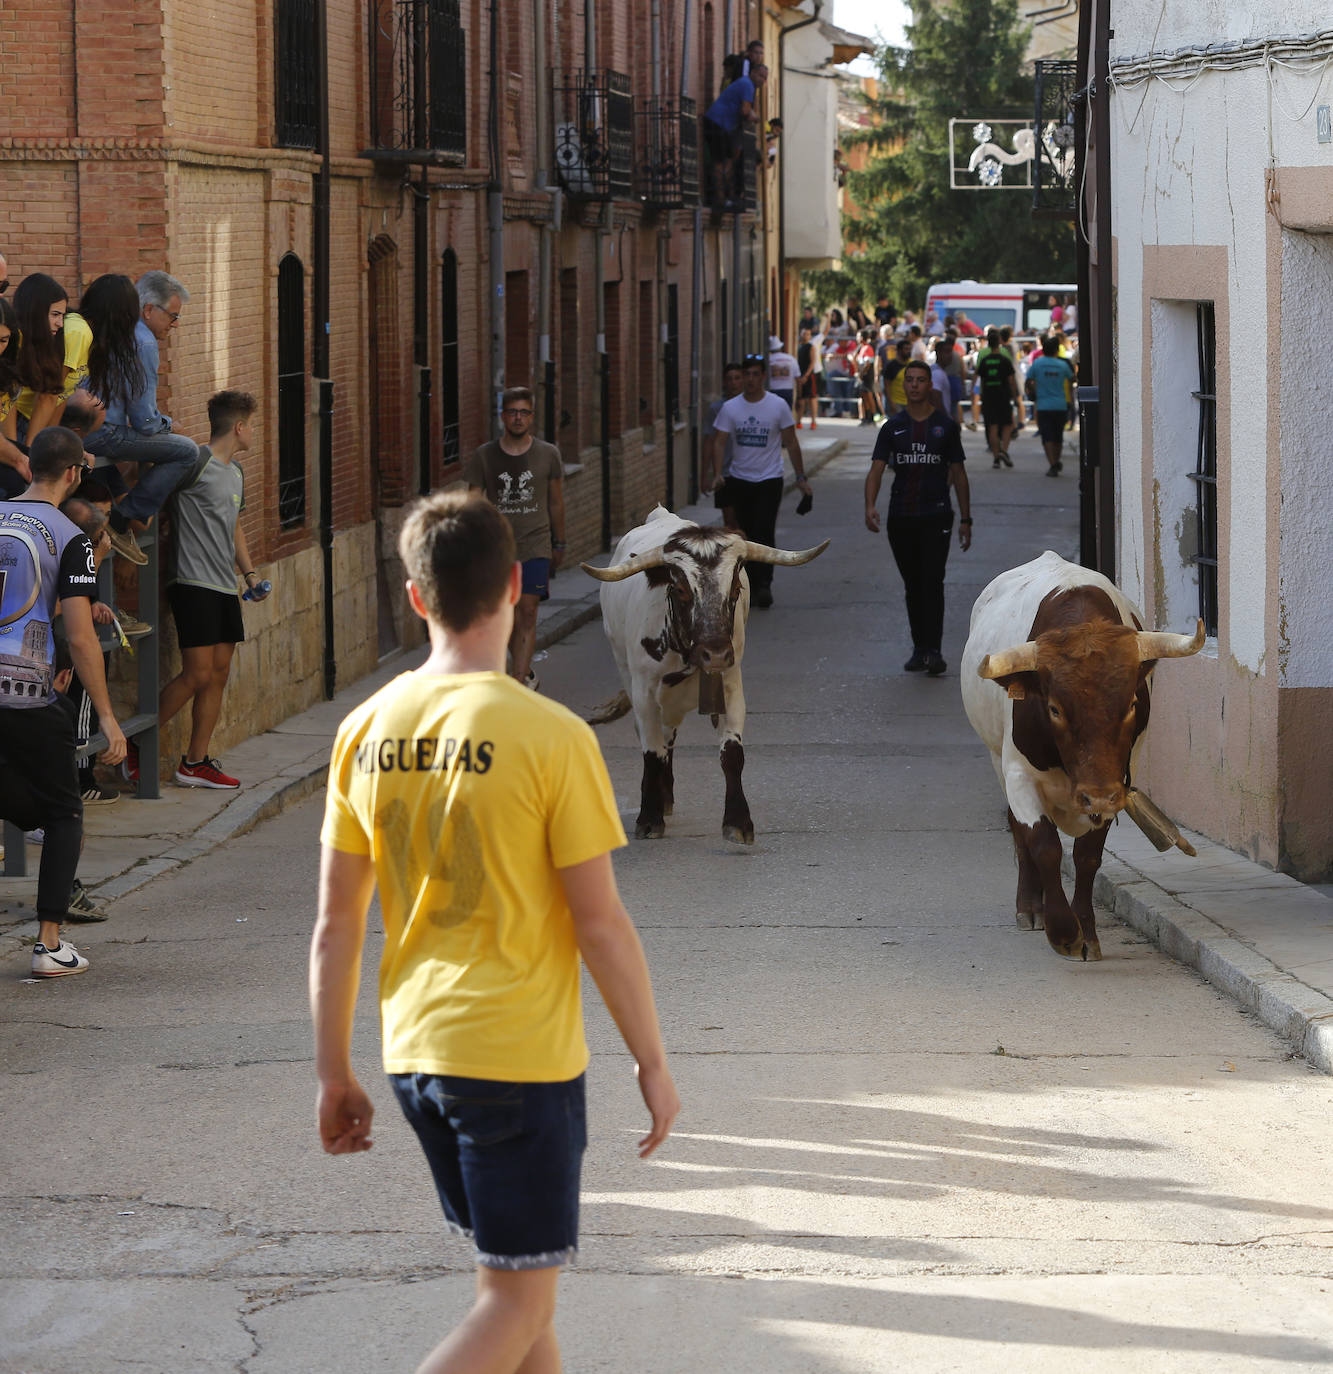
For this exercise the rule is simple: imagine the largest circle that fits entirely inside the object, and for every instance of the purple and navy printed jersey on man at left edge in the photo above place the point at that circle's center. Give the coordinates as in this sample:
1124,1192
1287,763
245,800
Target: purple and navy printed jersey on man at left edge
43,559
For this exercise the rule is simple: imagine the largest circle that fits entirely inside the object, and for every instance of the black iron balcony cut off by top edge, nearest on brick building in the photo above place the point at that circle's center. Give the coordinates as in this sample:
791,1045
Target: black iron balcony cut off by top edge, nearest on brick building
418,93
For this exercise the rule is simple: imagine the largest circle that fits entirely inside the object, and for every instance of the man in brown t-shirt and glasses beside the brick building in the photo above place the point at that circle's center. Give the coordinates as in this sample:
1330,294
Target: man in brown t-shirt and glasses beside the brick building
524,479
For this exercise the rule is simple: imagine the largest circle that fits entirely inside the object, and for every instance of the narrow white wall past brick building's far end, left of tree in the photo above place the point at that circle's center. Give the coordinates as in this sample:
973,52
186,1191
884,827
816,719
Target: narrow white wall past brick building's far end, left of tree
810,131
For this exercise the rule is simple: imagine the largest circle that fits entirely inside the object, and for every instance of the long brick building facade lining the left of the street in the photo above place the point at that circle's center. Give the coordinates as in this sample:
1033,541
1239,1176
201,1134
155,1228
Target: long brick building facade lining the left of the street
405,232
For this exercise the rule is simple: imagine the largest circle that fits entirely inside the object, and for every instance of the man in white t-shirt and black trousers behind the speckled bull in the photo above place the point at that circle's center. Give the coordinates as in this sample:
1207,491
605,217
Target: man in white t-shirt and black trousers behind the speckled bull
762,427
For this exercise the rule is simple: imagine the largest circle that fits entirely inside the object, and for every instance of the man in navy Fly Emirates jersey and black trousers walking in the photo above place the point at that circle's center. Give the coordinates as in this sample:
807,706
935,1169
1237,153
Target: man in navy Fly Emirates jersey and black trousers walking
924,449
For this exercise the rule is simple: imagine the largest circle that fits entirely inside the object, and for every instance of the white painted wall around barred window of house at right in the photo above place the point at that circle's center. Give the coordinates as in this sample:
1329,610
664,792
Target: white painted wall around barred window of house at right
1188,168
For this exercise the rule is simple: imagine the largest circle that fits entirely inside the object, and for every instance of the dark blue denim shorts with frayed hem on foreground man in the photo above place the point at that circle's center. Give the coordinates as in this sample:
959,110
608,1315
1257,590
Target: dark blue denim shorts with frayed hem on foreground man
506,1160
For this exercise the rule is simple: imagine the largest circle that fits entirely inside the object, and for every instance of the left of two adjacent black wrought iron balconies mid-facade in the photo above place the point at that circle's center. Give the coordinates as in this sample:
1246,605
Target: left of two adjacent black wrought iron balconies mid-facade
593,130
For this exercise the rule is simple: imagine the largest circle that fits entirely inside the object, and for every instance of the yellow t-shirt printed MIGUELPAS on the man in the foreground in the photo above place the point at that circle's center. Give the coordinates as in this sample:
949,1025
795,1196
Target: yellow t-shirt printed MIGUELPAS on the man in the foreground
469,793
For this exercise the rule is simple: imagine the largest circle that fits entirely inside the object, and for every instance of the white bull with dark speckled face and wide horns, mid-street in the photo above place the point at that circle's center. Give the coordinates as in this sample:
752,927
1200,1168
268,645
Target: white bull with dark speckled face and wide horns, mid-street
674,605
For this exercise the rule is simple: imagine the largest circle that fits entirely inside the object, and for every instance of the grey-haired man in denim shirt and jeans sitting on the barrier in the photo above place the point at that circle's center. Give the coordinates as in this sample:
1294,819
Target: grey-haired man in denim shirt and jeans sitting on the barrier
137,432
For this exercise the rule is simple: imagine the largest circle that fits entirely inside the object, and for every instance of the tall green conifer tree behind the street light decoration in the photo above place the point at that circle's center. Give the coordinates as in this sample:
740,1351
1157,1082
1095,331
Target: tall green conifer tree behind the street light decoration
965,58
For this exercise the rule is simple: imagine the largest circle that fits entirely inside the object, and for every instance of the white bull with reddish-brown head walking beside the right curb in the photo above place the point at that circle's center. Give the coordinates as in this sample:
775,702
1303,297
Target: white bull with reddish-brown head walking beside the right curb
1056,681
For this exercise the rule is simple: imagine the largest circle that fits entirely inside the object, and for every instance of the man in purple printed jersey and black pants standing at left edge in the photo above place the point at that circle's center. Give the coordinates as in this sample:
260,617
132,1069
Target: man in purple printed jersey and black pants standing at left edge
49,565
